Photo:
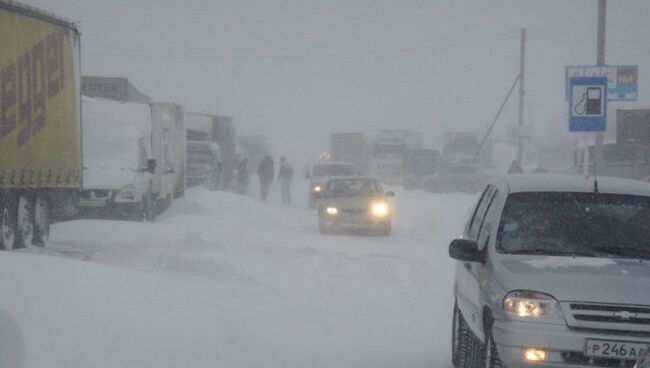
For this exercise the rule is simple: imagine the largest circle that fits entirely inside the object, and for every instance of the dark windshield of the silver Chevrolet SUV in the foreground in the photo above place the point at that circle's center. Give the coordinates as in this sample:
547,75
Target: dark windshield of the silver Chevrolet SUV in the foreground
591,224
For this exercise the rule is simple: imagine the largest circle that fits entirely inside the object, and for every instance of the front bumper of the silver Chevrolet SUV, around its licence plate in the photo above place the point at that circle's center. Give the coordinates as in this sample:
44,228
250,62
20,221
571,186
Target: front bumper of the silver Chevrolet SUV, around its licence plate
565,346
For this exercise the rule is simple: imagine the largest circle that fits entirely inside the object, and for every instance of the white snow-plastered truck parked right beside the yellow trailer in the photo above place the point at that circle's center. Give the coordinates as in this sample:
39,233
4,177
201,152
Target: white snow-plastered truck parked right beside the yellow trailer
128,168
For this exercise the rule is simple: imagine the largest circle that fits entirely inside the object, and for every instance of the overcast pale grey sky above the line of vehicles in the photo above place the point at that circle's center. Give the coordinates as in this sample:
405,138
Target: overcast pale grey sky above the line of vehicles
297,70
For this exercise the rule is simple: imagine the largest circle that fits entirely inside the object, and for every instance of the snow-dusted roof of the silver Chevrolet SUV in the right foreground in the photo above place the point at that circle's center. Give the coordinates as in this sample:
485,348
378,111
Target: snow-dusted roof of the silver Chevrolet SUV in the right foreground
521,183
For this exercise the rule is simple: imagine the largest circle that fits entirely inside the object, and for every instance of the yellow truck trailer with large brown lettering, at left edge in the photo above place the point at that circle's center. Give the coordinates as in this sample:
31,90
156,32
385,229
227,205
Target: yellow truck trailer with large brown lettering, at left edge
40,126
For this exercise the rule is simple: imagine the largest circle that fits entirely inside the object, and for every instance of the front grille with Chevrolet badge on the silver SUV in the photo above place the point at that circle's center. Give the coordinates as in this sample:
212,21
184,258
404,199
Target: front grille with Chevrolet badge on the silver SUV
608,317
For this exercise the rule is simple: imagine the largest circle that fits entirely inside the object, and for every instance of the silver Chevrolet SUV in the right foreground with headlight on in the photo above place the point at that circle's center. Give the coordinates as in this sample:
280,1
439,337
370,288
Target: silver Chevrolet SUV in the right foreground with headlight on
554,271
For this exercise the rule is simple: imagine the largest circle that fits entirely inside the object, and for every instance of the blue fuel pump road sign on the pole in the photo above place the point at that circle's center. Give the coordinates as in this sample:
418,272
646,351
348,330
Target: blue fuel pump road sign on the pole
587,104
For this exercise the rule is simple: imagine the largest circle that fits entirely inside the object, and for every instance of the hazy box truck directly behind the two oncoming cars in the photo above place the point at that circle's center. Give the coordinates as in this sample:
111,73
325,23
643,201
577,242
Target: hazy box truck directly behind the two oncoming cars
351,147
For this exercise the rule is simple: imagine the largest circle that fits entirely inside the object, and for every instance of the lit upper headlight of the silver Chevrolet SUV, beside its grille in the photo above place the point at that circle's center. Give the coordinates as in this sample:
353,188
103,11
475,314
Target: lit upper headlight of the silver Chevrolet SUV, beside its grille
529,304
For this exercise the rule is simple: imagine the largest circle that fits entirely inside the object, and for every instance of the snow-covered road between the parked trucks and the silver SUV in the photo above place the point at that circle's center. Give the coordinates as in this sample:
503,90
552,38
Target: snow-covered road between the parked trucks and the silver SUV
224,281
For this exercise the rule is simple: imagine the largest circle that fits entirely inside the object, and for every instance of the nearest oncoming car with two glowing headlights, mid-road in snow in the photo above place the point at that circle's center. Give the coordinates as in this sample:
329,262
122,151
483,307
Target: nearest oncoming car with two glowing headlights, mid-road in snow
354,203
